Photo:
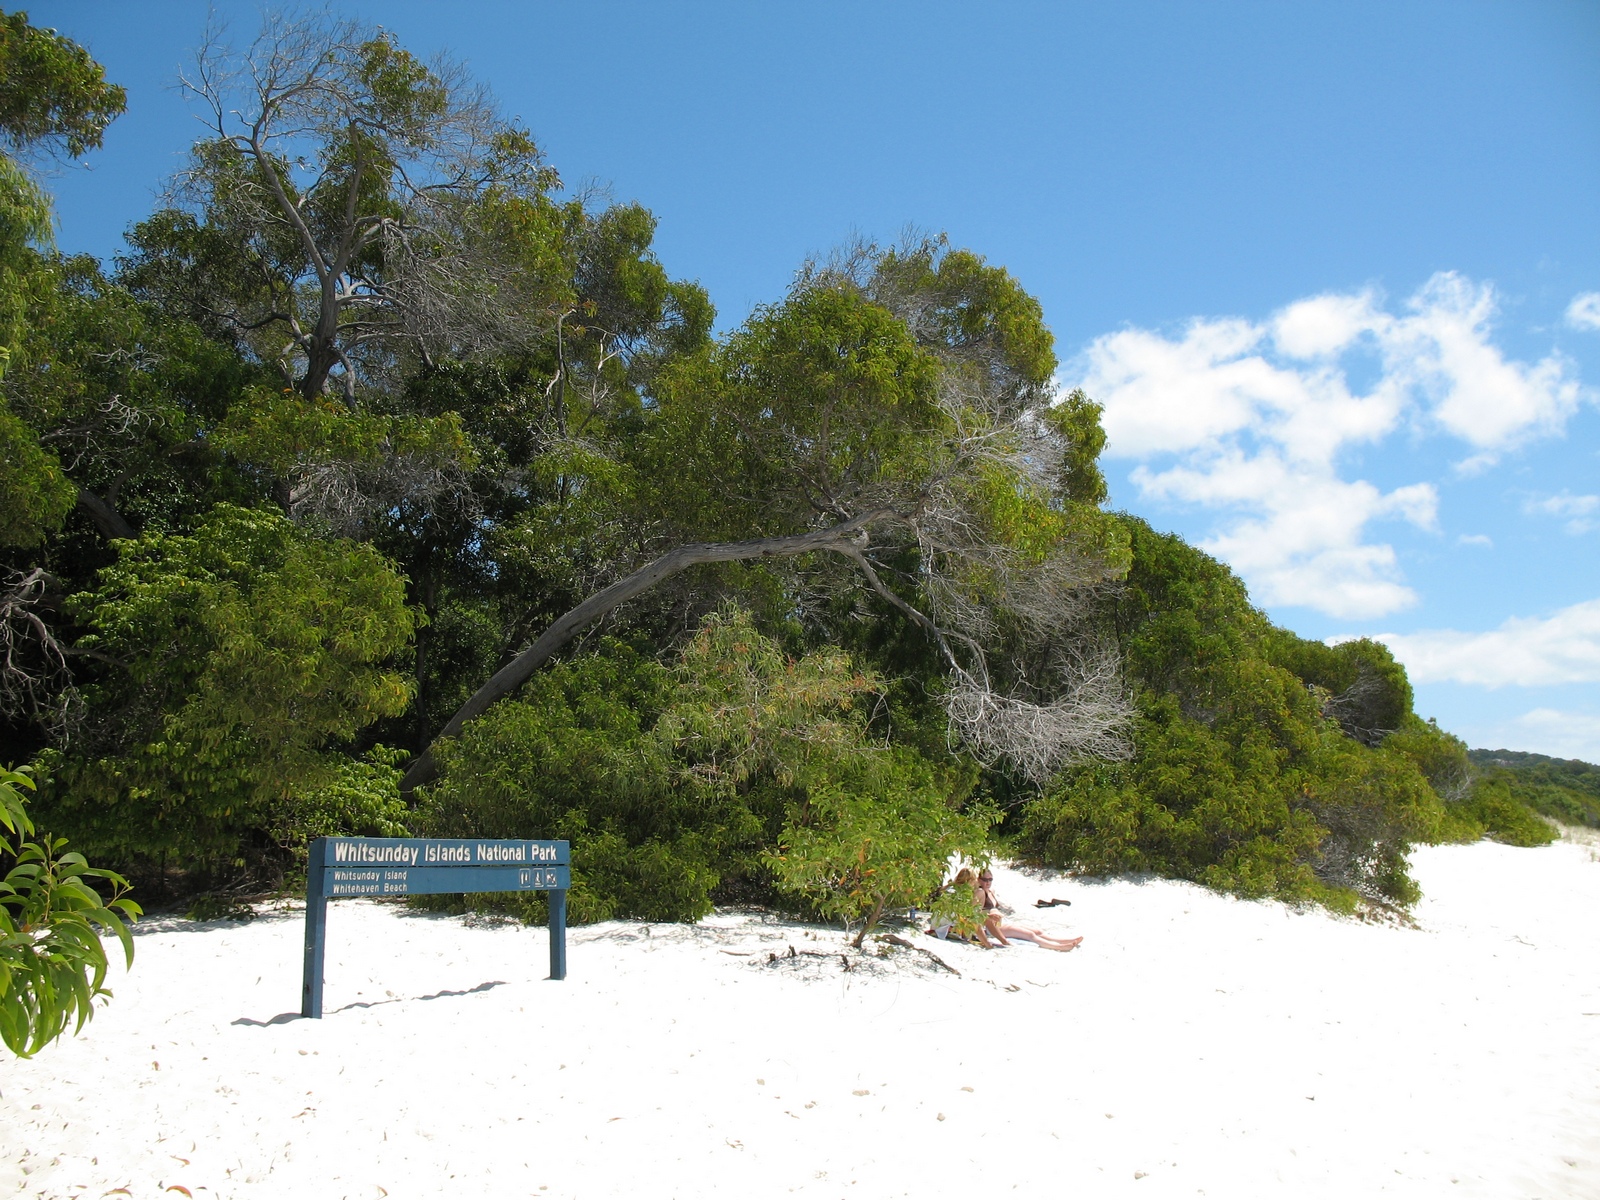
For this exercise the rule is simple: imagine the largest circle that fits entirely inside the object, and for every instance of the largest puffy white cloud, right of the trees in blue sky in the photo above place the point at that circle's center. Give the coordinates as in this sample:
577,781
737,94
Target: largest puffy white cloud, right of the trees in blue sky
1254,420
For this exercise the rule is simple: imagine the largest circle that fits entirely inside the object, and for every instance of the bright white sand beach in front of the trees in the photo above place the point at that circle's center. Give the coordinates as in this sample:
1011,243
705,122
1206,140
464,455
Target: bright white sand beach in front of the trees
1194,1046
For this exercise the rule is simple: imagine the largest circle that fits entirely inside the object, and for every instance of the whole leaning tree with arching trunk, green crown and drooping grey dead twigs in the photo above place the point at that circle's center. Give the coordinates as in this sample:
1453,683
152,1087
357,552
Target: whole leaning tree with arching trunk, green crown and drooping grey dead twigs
895,414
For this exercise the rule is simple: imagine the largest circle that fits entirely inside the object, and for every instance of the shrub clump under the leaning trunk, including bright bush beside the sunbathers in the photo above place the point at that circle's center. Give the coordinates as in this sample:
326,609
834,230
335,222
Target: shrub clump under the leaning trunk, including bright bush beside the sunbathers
734,772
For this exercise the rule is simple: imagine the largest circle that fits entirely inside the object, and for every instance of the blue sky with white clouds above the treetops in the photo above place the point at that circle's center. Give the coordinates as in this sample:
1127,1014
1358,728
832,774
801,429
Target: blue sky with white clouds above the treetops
1334,268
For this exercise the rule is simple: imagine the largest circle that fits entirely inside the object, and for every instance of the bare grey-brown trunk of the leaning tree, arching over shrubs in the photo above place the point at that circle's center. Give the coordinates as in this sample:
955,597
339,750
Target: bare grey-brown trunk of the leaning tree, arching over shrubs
847,538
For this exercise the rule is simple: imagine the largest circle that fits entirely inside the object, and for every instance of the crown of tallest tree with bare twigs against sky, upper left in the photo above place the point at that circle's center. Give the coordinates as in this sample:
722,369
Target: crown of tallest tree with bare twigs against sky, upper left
346,207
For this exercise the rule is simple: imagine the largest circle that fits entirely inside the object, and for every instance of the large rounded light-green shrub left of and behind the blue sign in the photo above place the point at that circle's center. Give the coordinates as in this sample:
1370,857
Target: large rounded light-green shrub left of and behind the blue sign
241,660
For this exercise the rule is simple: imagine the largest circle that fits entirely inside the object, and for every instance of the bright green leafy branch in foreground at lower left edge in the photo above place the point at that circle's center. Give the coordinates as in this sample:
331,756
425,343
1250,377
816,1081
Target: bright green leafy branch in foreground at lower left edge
52,959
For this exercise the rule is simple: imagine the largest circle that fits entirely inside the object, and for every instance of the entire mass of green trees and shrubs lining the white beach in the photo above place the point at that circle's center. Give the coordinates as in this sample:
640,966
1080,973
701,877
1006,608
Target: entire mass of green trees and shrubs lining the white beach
385,487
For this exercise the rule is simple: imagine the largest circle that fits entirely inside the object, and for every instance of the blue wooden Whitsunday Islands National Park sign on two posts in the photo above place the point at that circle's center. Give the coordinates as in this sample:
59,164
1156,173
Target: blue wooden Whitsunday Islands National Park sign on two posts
420,866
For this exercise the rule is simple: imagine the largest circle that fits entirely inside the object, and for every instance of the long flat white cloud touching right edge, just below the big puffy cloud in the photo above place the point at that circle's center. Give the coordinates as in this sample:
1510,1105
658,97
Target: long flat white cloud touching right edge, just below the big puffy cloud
1524,652
